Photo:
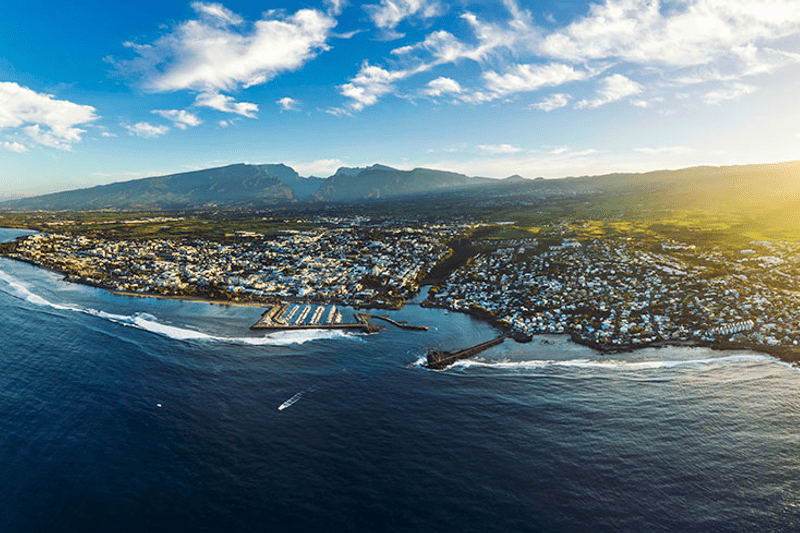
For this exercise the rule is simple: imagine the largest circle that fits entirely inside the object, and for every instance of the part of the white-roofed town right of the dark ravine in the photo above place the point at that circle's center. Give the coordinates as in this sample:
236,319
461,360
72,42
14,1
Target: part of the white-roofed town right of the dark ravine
613,293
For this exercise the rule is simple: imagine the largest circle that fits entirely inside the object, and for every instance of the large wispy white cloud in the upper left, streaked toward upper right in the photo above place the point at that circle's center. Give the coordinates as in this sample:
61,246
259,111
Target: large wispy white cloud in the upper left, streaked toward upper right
219,51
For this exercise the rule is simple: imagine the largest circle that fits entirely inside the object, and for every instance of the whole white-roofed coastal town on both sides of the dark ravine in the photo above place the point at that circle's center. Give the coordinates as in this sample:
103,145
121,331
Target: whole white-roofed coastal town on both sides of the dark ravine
613,292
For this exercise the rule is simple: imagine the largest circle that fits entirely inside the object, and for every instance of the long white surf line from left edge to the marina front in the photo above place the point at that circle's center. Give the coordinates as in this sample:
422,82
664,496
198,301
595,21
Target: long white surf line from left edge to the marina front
150,323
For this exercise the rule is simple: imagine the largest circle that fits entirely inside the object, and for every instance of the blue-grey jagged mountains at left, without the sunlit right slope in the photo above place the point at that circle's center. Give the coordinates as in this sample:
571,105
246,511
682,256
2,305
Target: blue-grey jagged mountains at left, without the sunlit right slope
244,185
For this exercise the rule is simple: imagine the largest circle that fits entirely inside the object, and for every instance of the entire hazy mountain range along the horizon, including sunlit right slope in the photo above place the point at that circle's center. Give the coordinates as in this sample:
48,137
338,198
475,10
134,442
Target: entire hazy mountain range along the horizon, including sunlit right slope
755,189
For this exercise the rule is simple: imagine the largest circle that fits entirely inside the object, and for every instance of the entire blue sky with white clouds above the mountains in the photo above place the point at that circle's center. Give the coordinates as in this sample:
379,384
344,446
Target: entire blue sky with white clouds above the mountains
93,92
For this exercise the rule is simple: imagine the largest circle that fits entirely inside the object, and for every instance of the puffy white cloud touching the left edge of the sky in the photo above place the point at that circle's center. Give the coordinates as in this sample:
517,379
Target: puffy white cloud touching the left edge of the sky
44,119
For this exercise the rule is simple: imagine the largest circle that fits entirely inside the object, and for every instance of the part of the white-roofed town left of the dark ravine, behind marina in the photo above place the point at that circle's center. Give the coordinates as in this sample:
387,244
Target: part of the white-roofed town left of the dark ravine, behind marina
348,262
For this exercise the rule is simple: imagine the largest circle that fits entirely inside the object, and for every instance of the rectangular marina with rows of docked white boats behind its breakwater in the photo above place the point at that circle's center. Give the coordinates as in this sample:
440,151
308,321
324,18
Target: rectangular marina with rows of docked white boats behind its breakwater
280,317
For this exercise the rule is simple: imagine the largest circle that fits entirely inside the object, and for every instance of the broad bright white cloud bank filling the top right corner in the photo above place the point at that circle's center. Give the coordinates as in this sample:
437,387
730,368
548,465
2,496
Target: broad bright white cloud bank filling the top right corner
681,34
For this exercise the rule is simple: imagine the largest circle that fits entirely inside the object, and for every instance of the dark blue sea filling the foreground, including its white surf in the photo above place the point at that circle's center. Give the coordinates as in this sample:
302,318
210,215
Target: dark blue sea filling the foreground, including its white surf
134,414
